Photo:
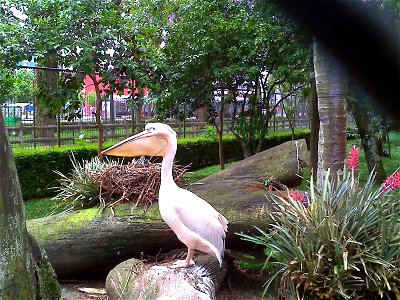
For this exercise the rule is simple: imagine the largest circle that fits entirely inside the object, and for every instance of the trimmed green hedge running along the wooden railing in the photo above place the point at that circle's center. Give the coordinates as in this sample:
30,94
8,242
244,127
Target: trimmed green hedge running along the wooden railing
35,166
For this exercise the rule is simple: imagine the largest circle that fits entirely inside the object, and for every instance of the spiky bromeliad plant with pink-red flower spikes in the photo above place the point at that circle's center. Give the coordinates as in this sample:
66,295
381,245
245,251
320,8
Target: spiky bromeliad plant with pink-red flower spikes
343,244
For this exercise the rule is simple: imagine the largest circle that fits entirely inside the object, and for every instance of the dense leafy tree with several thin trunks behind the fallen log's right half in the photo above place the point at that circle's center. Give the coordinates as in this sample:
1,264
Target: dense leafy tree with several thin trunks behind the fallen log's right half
230,49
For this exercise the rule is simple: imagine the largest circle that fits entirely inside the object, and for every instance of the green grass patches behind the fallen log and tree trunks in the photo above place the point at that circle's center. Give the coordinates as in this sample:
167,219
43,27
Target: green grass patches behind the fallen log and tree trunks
43,207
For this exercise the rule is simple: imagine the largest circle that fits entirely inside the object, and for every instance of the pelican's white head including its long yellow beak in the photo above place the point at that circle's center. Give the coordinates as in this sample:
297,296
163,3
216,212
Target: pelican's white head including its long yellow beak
153,141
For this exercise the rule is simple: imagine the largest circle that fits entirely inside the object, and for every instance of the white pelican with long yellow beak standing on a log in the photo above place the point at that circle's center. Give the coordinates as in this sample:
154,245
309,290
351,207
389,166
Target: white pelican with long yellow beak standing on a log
195,222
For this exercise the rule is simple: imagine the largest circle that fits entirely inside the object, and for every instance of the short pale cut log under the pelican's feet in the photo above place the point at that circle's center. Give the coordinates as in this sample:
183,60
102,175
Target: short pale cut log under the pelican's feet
135,279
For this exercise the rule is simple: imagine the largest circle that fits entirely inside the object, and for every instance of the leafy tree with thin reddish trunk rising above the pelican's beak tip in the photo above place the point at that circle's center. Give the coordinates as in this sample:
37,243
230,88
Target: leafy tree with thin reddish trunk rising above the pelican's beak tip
106,41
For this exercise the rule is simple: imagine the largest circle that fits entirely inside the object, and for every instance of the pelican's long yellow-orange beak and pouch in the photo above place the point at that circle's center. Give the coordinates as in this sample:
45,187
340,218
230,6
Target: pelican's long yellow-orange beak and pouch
141,144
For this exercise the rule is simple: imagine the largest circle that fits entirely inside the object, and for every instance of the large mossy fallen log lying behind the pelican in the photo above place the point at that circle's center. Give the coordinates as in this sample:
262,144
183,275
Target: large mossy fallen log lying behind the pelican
90,240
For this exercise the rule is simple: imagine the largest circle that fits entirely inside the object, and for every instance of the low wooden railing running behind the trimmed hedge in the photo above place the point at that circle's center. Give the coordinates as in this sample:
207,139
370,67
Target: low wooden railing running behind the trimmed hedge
30,136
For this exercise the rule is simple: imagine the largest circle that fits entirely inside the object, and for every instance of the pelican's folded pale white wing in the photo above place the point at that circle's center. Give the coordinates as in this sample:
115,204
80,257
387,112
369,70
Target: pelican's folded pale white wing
200,217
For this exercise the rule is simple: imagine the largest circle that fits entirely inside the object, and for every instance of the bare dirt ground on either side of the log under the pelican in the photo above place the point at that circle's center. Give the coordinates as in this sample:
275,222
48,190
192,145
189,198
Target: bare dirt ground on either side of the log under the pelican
240,285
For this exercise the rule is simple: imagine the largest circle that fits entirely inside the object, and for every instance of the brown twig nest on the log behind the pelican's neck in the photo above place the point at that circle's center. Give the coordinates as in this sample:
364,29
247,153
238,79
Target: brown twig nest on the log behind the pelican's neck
137,182
